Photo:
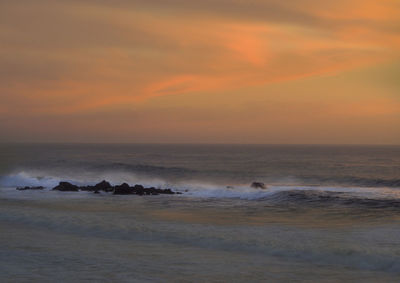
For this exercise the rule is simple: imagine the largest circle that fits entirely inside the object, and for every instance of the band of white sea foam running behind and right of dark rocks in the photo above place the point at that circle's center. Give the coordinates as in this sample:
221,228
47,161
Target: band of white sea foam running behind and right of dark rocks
189,188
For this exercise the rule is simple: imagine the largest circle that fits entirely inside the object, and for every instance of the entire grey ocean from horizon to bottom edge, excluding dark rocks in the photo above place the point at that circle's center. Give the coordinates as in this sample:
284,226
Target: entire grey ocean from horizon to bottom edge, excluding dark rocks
330,214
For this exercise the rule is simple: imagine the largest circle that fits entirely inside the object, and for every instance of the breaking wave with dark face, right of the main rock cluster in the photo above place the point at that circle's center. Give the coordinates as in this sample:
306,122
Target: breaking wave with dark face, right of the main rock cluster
304,195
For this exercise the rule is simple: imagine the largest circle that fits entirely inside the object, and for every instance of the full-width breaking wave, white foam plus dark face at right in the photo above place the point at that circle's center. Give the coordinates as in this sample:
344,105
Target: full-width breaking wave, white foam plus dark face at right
275,194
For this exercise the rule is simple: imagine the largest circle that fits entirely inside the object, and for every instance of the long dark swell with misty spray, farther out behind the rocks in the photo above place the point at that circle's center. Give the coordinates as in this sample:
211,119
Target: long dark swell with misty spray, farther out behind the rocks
137,171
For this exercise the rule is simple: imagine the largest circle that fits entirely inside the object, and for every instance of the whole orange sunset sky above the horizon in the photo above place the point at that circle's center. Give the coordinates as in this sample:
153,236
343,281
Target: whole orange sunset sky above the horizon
210,71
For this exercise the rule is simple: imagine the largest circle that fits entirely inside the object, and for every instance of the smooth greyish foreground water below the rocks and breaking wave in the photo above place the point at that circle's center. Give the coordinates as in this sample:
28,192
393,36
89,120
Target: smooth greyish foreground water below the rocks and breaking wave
172,238
